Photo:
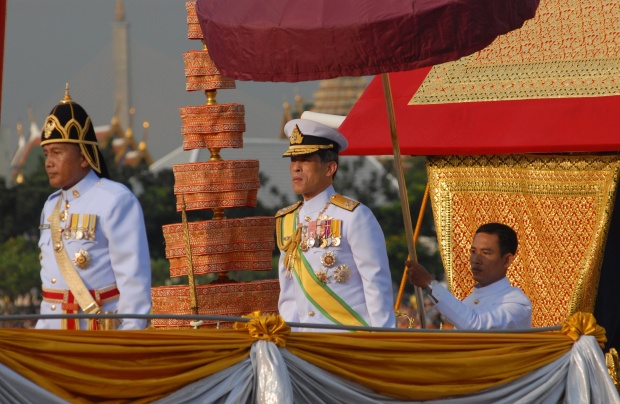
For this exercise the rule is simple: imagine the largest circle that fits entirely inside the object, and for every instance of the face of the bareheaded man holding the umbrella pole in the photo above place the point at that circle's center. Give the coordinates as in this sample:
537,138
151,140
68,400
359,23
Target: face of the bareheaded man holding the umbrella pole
487,263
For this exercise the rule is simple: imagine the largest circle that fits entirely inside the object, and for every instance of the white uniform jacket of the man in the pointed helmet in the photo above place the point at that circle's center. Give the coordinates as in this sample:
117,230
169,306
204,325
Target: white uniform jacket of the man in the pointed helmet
119,249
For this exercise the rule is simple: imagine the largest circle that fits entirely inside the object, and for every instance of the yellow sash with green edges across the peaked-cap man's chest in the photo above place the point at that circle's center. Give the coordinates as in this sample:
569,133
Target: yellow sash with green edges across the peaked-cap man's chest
321,296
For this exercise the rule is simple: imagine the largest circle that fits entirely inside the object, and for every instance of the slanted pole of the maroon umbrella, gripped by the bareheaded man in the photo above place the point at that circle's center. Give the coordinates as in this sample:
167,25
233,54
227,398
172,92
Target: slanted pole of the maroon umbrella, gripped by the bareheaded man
402,189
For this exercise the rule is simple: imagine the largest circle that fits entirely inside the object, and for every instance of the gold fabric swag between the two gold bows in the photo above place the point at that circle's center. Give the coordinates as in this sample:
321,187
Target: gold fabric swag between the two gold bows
429,366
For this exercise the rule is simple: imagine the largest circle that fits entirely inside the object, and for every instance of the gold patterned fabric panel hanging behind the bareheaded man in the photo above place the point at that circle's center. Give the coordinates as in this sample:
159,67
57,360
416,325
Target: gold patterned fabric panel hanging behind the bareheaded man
560,207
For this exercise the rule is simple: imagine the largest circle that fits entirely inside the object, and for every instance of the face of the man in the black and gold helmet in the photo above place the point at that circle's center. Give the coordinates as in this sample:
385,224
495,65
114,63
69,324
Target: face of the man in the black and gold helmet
64,164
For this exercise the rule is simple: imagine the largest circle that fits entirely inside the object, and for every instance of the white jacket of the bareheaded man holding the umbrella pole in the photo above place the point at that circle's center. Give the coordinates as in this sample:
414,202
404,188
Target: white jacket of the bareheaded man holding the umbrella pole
498,306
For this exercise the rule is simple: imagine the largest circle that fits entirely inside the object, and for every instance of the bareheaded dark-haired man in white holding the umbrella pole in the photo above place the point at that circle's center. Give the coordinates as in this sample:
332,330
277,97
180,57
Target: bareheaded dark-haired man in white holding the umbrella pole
494,304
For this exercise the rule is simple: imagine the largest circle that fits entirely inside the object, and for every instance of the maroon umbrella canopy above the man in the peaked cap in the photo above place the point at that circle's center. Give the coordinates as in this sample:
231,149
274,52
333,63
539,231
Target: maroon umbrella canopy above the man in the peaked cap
299,40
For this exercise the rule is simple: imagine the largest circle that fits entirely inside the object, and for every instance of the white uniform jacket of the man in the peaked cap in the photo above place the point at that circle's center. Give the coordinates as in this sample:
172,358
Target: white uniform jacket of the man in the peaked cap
369,288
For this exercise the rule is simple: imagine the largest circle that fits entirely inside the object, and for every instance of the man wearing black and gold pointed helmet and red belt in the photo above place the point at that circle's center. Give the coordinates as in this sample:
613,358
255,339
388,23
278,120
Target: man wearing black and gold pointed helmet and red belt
94,251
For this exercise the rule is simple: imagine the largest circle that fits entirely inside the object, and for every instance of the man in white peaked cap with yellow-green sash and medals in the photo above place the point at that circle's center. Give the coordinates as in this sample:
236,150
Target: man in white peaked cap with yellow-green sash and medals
333,266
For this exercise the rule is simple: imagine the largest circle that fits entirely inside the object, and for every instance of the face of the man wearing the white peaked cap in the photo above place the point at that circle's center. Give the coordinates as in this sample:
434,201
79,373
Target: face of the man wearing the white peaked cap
309,176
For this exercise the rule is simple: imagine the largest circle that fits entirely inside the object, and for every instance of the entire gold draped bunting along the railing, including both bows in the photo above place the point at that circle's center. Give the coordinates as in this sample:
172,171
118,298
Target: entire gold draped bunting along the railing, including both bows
143,366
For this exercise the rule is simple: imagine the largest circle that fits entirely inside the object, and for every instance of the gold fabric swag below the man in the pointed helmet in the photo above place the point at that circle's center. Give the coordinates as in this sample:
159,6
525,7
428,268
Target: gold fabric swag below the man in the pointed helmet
120,366
